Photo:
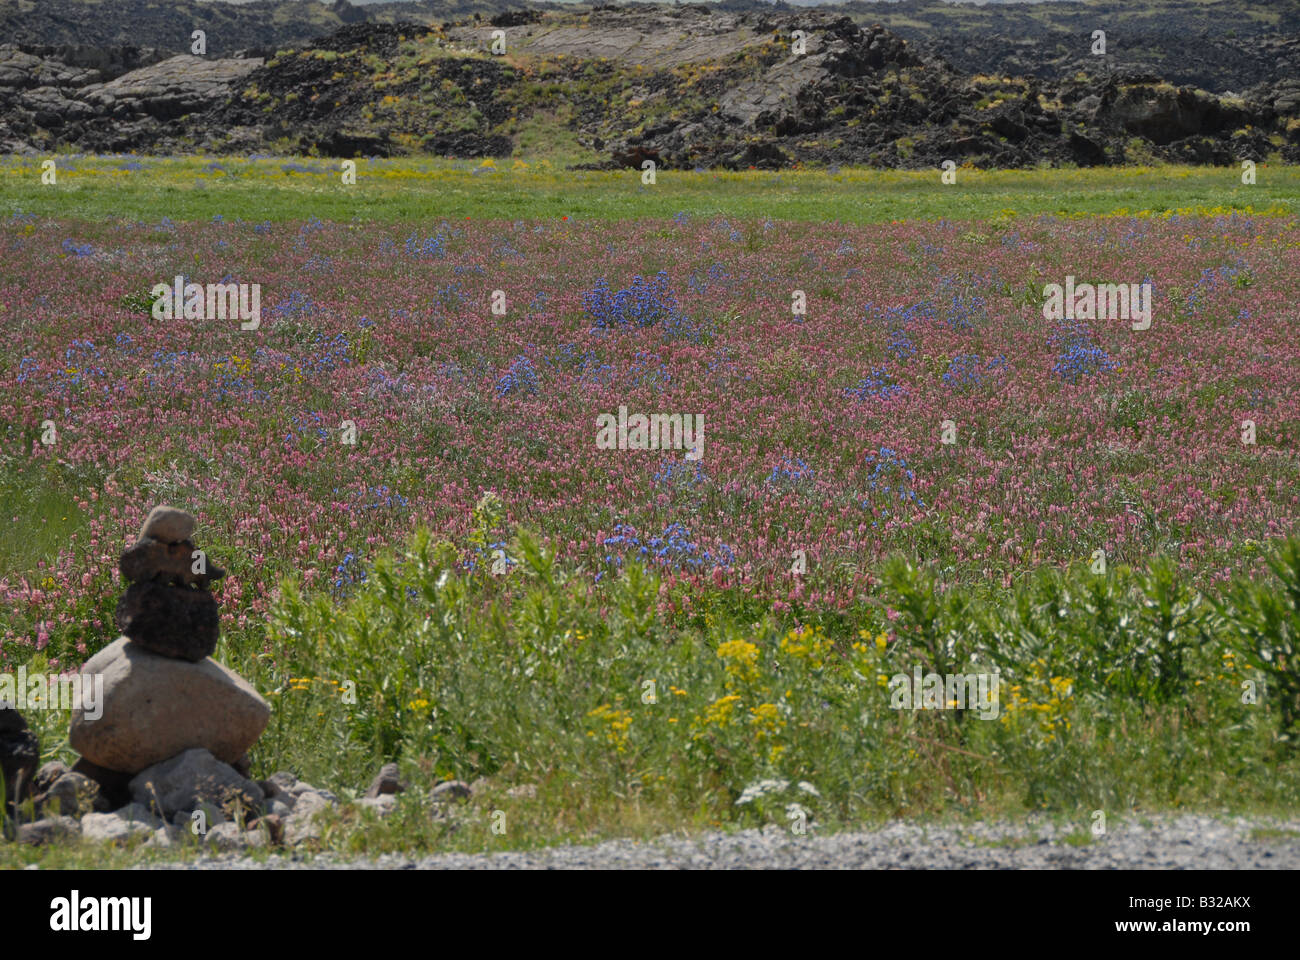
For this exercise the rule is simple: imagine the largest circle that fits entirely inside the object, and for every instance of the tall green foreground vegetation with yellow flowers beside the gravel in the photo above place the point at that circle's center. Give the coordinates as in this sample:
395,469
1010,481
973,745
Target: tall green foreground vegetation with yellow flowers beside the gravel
1121,694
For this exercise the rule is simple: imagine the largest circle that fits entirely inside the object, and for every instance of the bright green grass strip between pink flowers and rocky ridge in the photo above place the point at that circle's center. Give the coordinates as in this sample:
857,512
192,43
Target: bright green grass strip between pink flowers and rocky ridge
185,189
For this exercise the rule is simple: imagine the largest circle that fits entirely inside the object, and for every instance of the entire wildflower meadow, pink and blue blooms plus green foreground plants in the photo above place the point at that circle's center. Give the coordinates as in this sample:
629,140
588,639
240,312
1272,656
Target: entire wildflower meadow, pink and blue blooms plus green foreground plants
918,470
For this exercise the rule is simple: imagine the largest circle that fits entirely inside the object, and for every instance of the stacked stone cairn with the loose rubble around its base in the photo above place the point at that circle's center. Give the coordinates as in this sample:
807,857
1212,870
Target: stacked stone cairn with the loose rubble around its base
164,751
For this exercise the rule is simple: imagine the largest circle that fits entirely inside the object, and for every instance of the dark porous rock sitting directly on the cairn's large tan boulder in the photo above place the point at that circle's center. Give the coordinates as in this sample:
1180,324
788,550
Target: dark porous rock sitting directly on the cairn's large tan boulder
174,622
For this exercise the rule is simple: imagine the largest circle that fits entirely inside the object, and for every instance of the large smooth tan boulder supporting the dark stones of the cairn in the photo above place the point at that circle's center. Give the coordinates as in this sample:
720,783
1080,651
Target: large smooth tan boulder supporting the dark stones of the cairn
155,708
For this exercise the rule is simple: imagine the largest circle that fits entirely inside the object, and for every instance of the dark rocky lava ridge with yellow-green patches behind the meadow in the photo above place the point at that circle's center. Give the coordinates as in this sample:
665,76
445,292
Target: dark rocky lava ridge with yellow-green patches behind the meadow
683,87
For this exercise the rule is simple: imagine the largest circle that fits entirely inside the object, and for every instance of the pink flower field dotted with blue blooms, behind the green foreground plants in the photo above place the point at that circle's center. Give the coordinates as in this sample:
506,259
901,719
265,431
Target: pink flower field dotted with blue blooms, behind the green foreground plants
824,434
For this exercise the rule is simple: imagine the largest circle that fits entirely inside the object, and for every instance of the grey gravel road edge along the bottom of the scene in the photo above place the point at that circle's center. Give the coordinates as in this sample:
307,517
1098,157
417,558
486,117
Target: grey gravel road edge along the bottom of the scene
1160,844
